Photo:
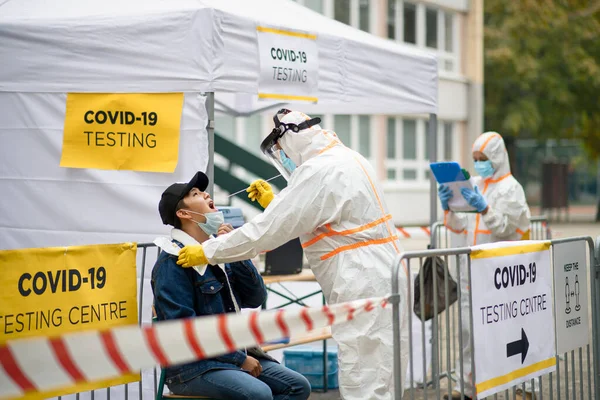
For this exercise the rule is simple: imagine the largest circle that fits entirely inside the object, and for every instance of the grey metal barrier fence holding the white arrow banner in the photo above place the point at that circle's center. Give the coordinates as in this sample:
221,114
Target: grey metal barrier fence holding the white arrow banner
576,375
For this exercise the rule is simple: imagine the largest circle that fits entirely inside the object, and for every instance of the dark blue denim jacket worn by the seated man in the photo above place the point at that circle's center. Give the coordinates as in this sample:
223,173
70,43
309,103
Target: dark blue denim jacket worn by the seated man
182,293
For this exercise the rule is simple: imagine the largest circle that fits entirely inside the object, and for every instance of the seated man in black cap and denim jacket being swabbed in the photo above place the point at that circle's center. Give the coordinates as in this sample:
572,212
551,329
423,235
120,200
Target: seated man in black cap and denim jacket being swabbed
190,292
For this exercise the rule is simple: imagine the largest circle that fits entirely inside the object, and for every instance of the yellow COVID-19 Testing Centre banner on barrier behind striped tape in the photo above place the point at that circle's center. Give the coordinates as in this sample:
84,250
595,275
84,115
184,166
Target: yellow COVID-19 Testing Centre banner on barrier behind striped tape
52,291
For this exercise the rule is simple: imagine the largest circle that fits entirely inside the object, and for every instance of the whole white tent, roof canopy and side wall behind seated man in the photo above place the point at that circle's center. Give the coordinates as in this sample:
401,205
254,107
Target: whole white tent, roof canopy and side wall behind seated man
50,49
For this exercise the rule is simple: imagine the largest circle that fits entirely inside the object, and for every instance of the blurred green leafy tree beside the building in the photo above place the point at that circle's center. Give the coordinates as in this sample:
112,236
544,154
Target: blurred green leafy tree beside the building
542,70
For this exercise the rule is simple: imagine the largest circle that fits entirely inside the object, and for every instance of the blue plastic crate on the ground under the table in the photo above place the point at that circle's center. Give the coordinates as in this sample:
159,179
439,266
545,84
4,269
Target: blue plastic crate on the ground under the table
308,361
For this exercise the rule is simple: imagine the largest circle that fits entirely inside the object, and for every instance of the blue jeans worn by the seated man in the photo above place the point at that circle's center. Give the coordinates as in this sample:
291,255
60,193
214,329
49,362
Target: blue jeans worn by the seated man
276,382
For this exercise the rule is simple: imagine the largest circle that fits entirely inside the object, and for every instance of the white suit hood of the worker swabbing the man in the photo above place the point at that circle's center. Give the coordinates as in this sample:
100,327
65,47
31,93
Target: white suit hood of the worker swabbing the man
307,143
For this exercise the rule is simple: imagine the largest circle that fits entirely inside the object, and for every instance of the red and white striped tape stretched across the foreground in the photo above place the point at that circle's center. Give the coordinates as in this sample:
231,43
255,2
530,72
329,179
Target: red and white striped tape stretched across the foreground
42,364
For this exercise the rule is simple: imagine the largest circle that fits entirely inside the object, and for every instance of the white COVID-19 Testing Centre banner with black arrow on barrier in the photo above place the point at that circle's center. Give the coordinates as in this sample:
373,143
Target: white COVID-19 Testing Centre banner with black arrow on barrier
513,326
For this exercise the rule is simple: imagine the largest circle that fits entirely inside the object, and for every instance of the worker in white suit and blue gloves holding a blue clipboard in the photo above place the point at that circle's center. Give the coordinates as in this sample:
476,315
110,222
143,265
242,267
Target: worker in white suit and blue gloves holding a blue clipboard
502,214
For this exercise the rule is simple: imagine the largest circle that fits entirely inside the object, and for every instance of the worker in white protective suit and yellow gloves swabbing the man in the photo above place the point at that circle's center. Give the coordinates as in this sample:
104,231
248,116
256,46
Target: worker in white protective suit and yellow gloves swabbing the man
335,205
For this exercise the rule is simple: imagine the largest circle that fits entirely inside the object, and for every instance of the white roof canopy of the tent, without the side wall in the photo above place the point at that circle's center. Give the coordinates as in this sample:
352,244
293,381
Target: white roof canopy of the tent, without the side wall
201,46
